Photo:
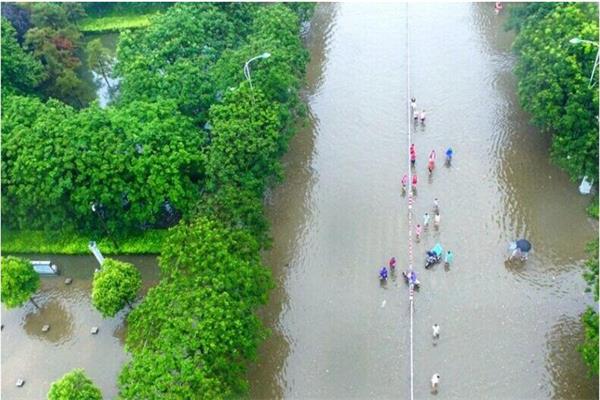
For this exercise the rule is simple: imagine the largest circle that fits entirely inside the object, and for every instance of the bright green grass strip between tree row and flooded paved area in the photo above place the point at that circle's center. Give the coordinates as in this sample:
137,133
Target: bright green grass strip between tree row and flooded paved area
149,242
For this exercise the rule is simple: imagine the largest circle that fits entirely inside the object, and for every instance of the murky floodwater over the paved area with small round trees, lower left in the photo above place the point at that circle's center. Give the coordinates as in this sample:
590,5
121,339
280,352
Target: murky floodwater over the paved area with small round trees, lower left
39,357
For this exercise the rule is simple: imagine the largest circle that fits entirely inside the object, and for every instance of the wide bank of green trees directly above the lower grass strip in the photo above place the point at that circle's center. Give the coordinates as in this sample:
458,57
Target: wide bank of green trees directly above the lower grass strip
57,161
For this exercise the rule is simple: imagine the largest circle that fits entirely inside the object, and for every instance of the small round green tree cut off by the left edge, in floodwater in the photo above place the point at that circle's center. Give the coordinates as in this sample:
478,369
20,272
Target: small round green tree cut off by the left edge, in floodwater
19,282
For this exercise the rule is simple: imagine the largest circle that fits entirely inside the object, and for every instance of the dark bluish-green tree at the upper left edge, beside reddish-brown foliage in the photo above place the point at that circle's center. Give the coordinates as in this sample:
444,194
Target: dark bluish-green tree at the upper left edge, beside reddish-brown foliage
21,73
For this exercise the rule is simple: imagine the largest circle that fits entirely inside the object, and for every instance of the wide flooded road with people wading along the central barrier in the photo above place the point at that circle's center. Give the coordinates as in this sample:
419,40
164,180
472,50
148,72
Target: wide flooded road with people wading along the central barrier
507,331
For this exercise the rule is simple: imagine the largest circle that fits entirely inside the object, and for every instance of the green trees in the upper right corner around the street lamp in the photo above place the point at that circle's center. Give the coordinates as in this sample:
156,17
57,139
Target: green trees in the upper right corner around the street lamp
554,81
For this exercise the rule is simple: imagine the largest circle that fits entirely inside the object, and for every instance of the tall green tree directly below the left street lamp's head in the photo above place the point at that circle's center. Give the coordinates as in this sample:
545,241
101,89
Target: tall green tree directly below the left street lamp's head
241,160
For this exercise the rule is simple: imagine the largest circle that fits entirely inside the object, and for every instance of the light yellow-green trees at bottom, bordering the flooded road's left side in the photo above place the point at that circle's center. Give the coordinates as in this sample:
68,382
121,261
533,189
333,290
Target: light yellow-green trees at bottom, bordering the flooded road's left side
194,332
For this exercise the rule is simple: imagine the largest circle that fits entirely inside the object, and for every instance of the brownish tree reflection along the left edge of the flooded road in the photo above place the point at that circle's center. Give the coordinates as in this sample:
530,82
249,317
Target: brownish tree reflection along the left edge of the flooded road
291,202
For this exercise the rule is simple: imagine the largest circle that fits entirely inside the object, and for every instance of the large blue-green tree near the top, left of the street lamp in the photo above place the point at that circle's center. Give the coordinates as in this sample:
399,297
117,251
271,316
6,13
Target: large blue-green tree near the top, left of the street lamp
192,37
